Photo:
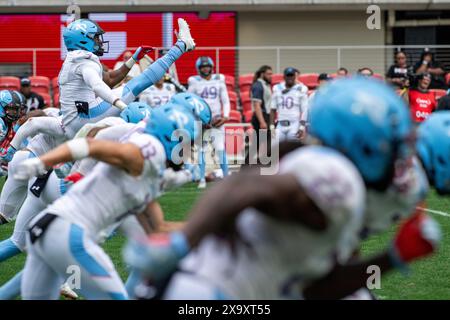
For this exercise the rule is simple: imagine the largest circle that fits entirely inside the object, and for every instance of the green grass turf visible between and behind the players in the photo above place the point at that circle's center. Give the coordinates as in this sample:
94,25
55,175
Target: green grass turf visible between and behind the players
429,279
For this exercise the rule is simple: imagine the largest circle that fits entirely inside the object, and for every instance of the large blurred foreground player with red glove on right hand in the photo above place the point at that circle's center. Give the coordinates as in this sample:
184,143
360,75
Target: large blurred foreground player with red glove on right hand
305,214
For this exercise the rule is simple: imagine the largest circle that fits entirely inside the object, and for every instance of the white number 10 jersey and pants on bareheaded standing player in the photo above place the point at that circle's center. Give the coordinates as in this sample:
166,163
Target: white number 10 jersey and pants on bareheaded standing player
290,104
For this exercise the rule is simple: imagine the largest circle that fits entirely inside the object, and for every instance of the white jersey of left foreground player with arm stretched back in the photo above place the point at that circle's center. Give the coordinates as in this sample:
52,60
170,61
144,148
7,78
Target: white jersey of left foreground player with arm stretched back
108,193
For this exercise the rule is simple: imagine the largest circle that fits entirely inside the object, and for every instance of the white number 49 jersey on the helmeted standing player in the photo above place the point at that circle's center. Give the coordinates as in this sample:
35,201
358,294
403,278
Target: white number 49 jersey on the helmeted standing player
214,91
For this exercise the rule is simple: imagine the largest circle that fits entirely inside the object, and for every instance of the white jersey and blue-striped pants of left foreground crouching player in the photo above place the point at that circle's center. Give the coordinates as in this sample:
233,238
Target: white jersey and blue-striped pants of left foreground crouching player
81,215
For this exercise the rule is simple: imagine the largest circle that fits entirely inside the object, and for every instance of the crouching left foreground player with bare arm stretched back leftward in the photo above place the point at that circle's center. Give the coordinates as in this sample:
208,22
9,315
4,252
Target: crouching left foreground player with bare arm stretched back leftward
130,174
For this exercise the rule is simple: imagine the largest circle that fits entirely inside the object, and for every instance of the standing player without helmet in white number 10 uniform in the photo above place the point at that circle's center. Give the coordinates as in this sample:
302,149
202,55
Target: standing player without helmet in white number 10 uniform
290,103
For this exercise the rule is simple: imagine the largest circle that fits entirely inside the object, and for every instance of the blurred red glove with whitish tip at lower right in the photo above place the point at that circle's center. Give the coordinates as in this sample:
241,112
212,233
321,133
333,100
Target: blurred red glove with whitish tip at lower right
418,237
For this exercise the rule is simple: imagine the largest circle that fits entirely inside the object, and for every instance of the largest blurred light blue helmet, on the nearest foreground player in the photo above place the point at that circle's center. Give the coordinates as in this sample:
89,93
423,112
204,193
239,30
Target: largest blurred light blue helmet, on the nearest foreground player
368,122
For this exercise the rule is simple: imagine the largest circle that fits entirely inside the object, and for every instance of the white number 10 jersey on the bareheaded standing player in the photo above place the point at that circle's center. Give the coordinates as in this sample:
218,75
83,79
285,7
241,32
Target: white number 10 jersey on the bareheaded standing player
291,103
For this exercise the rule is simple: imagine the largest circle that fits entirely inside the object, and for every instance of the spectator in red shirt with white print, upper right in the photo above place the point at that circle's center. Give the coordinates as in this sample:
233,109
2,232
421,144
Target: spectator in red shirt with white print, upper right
421,101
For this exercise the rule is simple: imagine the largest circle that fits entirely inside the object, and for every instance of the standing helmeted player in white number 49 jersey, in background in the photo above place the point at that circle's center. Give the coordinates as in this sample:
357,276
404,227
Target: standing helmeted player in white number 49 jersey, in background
212,88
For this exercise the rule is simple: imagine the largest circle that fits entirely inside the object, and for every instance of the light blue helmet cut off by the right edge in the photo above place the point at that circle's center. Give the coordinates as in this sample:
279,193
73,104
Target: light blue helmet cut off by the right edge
433,149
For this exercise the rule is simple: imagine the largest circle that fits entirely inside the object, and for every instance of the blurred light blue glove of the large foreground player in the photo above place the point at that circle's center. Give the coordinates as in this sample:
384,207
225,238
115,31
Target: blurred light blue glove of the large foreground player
157,256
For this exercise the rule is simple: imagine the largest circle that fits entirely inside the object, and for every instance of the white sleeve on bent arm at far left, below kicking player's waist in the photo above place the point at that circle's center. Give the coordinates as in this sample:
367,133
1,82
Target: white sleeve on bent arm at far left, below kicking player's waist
33,126
